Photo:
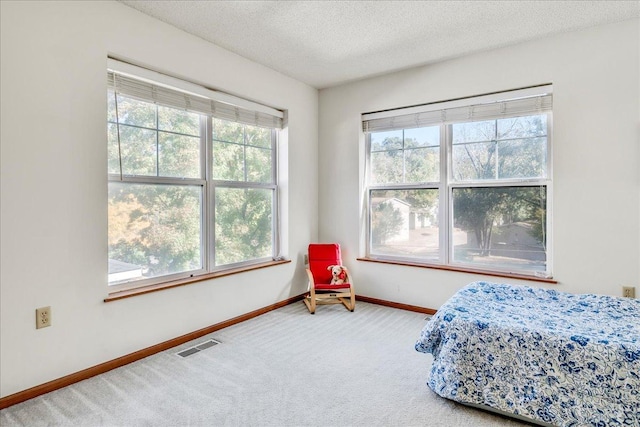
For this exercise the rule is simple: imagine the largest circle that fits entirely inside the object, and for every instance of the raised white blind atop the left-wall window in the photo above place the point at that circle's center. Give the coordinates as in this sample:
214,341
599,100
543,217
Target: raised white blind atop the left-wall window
188,96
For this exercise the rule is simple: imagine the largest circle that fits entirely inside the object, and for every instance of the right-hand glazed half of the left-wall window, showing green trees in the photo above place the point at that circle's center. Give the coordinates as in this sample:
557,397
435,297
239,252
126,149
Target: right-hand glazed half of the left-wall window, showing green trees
245,192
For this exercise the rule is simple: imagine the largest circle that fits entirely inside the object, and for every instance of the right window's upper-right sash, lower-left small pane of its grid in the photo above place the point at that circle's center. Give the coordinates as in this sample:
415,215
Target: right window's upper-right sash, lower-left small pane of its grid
474,161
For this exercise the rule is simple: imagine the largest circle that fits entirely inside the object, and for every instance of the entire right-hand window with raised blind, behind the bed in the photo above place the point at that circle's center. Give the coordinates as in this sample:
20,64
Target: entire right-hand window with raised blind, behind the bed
464,183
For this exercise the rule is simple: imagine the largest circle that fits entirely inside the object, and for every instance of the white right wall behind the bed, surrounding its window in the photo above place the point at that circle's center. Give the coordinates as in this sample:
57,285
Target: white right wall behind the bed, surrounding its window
596,157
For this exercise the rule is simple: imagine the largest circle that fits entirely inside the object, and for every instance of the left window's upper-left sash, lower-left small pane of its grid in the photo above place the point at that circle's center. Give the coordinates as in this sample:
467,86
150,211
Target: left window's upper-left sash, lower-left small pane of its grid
138,150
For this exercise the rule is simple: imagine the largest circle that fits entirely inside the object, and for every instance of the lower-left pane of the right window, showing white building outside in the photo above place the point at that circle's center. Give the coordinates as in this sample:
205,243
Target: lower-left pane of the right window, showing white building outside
404,223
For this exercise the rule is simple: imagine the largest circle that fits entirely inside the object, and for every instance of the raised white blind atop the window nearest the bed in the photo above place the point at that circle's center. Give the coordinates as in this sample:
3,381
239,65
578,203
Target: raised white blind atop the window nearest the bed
517,103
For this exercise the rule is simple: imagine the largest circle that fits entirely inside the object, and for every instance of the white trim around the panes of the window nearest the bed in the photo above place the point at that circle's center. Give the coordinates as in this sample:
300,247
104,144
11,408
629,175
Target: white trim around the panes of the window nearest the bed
447,183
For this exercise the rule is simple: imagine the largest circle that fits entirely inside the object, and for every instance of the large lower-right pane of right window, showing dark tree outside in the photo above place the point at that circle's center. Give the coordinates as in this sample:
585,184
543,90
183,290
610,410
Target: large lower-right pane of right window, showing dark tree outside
500,227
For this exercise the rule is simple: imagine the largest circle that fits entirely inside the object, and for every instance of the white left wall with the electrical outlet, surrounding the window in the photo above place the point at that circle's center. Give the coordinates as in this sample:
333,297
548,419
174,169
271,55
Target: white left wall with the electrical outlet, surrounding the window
54,188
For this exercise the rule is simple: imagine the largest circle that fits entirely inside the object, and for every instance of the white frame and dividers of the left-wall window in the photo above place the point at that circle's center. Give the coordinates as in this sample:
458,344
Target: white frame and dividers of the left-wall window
225,107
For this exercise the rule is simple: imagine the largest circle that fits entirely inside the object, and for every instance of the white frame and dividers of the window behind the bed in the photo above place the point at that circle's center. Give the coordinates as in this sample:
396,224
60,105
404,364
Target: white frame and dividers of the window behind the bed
444,114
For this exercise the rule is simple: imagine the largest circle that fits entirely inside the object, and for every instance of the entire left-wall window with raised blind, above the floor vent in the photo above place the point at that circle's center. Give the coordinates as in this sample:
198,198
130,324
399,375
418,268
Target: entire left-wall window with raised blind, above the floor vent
192,180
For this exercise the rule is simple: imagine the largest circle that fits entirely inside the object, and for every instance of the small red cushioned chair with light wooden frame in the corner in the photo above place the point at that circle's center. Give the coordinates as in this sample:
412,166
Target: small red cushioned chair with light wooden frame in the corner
321,291
